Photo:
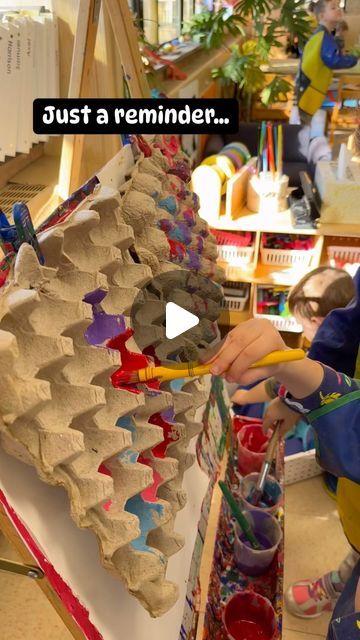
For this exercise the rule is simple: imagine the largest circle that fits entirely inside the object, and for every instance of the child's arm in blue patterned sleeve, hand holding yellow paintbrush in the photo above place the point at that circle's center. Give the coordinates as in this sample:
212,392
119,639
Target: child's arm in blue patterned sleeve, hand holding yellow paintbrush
330,400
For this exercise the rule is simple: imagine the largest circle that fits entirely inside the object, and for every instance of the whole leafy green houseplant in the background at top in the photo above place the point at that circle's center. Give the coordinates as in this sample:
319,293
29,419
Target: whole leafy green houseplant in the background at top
270,21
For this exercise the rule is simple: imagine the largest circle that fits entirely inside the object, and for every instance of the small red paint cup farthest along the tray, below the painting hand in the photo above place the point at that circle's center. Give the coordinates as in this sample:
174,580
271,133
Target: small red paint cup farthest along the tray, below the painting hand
251,455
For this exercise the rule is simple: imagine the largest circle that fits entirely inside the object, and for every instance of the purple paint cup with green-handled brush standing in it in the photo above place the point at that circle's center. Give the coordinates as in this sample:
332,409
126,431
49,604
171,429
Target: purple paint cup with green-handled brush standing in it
268,531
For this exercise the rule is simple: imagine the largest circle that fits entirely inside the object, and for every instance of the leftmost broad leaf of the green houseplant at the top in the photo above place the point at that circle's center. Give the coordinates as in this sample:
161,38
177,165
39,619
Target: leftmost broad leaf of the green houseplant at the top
210,29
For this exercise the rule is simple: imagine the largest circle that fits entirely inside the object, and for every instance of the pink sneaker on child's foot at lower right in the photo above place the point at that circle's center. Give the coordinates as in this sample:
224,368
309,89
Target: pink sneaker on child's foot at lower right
309,599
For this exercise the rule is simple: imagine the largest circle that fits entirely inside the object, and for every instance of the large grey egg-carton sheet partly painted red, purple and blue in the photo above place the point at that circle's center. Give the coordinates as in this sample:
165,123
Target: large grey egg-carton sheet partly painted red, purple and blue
119,451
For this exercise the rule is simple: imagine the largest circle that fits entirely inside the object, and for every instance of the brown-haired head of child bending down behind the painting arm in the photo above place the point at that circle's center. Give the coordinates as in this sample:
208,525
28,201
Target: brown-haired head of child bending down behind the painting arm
318,293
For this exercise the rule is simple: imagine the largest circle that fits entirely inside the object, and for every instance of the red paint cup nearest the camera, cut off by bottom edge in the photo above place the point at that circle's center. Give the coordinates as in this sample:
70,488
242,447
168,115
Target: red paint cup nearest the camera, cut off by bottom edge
249,616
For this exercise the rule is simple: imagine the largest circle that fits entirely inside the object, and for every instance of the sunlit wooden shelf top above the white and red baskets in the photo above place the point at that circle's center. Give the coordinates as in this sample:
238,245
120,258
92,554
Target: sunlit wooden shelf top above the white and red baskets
245,220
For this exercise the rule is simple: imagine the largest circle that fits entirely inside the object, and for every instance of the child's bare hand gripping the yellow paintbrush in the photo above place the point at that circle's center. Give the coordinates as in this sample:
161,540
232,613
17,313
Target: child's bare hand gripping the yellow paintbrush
243,346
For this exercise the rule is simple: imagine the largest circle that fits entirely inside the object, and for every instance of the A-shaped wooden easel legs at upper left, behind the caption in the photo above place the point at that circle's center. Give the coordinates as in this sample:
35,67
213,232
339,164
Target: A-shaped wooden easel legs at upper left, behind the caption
83,56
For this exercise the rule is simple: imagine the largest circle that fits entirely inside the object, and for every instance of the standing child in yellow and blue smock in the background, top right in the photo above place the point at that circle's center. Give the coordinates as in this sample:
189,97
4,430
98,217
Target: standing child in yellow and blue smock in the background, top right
320,57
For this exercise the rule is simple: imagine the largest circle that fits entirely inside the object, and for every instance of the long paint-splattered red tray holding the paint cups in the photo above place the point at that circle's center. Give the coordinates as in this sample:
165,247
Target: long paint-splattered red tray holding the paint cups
225,578
